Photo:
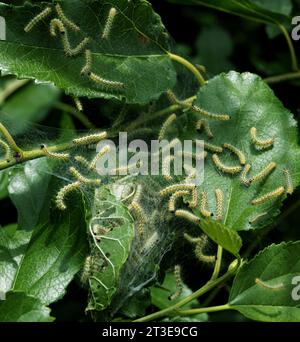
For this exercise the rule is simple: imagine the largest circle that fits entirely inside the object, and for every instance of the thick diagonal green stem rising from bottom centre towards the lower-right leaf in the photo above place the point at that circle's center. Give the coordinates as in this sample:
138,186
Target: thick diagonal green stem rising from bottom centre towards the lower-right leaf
173,308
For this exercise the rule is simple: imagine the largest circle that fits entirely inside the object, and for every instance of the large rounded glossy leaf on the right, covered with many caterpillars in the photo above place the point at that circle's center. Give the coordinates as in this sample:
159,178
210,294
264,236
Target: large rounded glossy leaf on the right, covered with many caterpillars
250,103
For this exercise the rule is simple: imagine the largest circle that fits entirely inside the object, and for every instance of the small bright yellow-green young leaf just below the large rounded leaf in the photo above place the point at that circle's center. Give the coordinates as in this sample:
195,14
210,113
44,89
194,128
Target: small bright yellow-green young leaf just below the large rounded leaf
223,236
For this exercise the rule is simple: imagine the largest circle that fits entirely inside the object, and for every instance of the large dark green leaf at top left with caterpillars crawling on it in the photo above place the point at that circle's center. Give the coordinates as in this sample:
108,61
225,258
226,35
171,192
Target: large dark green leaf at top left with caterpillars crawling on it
135,52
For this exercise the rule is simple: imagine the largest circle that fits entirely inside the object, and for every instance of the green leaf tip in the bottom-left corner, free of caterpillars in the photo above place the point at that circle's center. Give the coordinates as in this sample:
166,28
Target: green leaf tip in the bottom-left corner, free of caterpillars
19,307
